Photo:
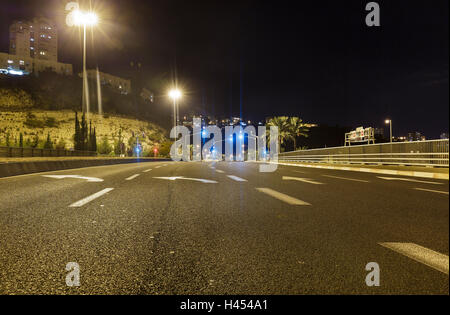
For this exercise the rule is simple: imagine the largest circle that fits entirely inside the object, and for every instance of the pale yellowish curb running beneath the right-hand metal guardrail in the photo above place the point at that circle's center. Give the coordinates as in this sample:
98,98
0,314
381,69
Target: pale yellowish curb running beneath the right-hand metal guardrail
376,171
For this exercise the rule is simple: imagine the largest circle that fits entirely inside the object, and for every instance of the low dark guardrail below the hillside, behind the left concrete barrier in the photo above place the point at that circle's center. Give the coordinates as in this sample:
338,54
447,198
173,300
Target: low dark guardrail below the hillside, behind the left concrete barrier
35,152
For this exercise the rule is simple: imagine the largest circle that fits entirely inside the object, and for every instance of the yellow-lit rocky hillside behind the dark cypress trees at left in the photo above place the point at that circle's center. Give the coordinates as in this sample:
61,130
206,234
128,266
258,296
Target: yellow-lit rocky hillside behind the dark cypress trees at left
60,125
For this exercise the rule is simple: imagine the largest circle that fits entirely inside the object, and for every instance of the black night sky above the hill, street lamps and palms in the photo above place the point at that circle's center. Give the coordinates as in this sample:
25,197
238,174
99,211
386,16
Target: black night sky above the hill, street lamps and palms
314,59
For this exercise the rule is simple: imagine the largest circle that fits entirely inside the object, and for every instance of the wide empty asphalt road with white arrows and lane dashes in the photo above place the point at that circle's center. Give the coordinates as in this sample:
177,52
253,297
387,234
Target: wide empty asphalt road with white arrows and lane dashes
294,231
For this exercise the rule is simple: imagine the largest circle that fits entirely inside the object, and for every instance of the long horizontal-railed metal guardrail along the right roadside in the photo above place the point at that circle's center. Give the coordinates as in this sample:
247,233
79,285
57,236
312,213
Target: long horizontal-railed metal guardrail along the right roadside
417,153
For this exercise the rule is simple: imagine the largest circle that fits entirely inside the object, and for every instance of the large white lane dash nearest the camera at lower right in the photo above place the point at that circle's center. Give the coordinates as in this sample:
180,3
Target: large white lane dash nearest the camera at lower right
421,254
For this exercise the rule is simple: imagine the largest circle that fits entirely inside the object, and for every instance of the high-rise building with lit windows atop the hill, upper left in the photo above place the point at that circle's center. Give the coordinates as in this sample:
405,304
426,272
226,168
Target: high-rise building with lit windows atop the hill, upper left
37,38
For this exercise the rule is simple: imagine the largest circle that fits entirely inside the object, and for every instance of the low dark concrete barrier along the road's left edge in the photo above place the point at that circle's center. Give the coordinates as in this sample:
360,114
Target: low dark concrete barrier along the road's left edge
21,168
